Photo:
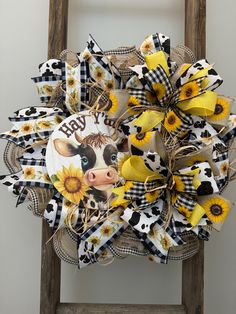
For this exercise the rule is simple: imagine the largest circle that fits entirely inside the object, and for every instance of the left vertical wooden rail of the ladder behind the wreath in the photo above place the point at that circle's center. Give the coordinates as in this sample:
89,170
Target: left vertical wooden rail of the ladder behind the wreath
50,263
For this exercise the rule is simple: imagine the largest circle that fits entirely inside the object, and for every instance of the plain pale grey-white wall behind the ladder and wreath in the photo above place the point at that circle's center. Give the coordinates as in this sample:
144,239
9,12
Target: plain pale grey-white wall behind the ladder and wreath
23,33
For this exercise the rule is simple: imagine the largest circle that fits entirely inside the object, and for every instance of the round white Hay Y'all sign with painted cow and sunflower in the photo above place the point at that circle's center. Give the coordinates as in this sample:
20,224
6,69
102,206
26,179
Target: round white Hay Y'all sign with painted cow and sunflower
82,159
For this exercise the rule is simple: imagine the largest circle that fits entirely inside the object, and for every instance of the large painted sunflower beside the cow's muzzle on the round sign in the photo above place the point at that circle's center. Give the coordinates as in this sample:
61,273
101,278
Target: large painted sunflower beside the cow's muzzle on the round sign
71,184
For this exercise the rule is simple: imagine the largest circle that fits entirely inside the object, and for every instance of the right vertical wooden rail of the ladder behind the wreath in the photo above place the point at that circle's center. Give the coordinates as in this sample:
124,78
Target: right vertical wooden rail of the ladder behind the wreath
193,268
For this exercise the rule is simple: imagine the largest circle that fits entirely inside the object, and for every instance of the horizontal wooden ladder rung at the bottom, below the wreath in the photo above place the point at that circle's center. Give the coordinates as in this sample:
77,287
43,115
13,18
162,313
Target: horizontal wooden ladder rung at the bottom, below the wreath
83,308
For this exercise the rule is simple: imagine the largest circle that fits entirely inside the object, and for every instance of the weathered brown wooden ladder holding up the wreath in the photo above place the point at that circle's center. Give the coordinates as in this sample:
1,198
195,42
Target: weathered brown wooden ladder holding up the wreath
193,268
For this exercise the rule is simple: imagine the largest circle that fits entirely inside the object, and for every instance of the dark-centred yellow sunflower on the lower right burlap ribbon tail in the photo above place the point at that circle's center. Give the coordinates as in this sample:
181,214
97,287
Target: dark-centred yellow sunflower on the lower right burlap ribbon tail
216,209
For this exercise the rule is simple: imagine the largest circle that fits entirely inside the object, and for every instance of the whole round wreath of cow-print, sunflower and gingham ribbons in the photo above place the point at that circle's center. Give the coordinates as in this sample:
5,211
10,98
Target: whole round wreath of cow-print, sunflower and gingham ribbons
129,153
